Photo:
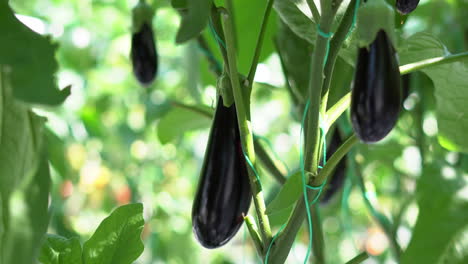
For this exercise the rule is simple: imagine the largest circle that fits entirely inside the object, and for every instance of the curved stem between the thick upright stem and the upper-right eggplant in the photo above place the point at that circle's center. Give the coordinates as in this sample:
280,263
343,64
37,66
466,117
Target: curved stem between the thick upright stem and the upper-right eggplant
335,45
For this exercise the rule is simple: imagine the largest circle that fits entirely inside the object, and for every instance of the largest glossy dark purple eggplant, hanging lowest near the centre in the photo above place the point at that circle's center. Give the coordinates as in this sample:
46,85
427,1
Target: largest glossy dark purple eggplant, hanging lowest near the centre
223,193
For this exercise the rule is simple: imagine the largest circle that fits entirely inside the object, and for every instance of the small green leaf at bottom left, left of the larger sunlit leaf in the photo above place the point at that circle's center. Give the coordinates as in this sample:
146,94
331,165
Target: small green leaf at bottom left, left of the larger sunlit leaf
60,250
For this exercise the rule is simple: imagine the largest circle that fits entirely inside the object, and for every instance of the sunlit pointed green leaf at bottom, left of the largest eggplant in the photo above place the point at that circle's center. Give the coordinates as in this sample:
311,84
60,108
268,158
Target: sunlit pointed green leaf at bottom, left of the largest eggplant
117,239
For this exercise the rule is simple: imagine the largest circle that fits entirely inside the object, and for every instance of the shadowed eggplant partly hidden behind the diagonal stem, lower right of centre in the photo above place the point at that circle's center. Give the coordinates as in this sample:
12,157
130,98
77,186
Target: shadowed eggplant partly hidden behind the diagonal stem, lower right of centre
338,176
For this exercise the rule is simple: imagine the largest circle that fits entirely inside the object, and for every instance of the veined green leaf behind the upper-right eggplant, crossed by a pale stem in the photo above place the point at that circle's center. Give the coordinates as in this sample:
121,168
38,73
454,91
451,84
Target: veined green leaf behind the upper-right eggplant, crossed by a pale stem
450,82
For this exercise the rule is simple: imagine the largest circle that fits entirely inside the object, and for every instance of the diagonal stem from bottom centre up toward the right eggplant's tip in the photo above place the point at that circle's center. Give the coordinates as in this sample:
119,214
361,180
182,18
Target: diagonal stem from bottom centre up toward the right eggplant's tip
283,244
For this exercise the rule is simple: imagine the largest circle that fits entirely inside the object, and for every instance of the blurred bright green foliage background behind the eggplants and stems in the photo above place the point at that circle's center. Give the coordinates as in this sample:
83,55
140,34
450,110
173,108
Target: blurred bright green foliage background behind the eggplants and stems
114,142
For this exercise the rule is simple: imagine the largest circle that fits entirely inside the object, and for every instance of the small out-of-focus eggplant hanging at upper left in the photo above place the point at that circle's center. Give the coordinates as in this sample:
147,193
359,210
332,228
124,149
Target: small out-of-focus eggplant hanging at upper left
144,55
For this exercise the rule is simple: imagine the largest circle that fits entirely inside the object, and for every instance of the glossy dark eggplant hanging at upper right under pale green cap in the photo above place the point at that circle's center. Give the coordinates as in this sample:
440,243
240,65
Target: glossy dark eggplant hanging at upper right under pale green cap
376,93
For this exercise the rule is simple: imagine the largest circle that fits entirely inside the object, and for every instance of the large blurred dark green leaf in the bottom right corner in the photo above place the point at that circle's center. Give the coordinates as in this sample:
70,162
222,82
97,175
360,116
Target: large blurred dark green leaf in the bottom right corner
443,212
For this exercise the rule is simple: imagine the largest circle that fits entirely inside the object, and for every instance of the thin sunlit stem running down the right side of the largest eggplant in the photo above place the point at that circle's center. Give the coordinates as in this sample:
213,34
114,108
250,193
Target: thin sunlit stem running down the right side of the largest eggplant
245,131
